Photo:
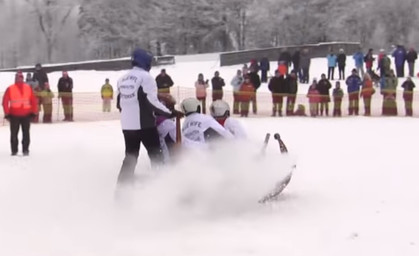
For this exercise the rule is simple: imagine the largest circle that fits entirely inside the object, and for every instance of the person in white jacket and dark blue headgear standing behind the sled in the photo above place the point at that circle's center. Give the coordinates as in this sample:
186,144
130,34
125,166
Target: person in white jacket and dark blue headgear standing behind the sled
137,101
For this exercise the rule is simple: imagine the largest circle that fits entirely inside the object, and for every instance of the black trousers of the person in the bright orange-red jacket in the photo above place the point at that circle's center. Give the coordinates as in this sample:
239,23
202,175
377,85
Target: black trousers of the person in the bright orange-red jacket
15,123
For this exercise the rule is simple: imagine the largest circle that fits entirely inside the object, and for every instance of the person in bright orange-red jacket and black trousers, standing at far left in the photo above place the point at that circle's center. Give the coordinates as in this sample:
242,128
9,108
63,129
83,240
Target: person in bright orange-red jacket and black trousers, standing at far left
20,106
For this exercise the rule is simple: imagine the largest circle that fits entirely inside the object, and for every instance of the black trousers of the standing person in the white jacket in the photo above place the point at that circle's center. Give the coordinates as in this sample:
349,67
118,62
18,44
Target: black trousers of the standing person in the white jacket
133,139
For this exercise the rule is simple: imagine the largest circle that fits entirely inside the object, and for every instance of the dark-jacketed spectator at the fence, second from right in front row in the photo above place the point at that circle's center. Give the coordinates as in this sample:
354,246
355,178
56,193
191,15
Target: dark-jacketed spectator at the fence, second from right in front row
389,95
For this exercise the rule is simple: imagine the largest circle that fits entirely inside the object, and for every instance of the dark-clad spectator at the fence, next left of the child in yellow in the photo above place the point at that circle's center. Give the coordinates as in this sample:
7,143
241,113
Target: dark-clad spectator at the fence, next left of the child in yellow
65,93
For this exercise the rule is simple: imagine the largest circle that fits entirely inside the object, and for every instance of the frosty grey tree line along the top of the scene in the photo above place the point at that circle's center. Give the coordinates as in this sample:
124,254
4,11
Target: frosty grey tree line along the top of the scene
74,30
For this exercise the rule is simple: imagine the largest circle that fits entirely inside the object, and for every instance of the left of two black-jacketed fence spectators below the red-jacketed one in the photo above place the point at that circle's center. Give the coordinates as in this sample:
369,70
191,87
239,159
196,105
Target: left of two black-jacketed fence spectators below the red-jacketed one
278,88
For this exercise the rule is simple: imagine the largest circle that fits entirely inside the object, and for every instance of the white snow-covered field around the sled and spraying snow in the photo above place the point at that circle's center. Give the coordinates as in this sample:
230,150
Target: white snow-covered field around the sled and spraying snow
354,191
